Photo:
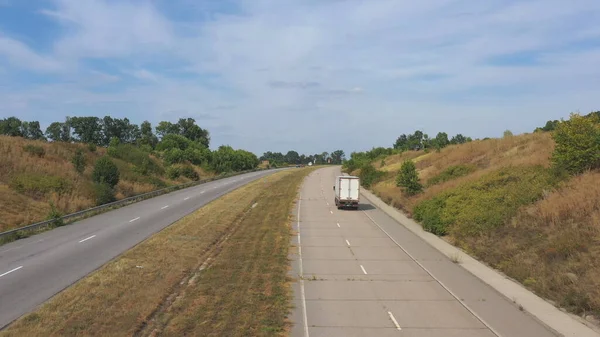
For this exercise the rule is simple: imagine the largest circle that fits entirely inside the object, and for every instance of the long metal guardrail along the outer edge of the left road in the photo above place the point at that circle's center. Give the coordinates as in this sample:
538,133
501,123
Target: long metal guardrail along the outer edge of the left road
22,232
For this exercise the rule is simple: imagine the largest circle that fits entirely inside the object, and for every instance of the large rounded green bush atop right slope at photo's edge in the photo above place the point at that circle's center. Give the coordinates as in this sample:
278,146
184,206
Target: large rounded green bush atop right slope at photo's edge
577,144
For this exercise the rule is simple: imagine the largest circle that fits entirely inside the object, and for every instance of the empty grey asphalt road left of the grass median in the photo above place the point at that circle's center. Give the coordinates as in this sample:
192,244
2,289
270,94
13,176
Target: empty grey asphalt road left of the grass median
34,269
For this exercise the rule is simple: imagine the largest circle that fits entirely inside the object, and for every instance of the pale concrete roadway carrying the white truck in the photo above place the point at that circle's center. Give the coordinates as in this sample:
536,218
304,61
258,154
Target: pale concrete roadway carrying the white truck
366,275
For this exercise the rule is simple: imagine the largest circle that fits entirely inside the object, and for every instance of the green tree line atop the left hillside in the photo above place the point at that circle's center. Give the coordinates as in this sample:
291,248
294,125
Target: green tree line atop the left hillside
176,143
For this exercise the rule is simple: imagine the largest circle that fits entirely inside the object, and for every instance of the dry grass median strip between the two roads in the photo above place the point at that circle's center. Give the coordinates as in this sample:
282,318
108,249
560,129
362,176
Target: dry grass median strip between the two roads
221,271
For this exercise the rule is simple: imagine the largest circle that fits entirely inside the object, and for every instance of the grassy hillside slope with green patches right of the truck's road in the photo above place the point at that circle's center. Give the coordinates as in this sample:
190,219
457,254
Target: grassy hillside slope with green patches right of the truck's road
501,201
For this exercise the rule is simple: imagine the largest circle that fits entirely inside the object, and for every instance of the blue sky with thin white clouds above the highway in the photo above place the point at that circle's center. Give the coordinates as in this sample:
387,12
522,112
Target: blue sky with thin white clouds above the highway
303,75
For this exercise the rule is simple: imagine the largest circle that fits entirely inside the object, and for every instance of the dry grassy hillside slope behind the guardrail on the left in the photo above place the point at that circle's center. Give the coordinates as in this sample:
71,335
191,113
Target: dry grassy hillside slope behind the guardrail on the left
34,174
